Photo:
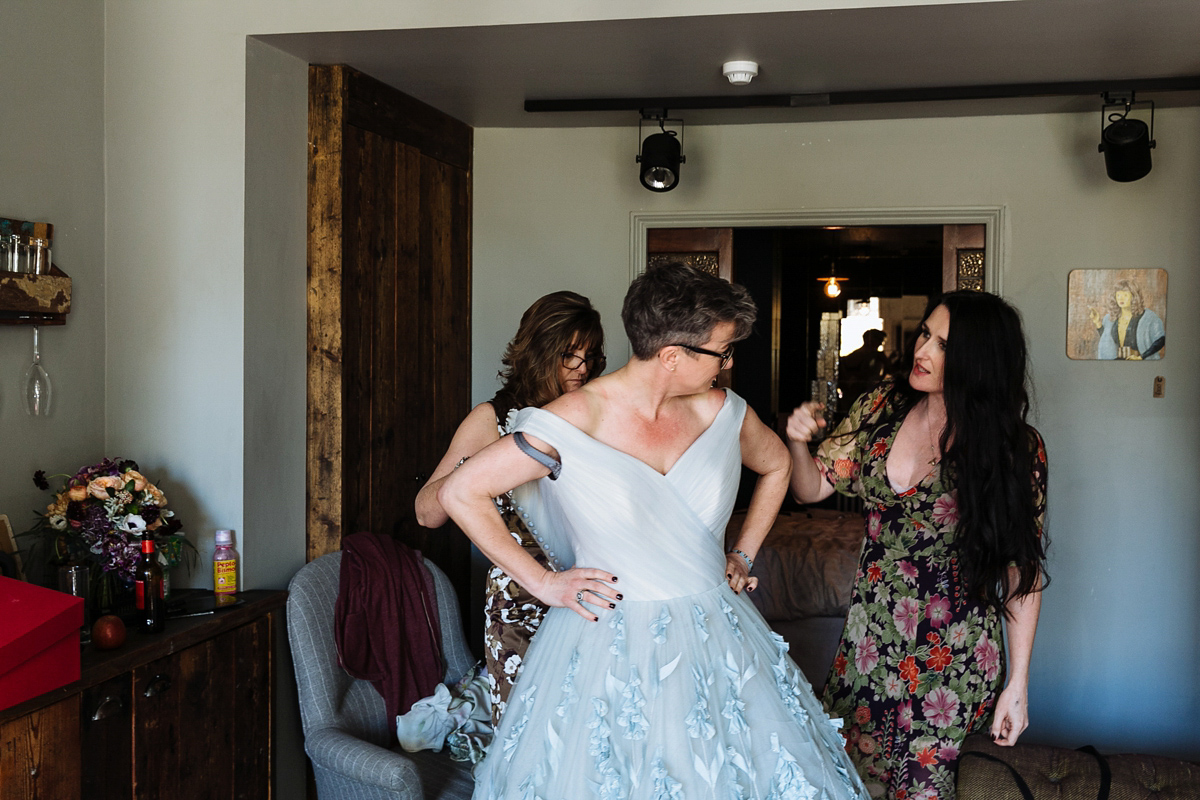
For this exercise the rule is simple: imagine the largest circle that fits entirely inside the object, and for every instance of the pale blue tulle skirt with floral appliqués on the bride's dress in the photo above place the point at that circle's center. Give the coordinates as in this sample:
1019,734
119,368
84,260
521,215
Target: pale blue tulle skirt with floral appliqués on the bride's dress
687,699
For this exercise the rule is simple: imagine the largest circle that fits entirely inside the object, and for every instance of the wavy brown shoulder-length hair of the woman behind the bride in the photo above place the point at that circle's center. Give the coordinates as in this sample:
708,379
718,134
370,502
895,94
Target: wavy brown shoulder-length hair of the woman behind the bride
532,360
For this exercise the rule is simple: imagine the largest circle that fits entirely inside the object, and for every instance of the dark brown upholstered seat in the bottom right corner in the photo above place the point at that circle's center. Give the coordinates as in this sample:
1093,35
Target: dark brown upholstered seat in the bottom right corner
1060,774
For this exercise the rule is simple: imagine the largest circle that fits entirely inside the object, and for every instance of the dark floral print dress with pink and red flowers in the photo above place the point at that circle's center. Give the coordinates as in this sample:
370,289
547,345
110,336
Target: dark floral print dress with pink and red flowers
921,664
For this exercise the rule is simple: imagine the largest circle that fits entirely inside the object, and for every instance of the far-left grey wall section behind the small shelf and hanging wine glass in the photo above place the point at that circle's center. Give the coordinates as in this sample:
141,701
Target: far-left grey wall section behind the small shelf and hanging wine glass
52,170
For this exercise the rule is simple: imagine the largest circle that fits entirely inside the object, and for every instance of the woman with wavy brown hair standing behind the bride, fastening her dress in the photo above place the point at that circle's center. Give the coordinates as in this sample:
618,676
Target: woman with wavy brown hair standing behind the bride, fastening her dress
559,348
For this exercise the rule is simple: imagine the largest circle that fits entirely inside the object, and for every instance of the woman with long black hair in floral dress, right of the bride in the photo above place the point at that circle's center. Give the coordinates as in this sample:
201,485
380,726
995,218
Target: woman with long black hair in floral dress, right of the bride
955,484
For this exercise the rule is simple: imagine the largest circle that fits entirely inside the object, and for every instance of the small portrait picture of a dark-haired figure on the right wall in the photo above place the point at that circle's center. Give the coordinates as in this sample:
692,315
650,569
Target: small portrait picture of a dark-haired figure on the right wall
1117,315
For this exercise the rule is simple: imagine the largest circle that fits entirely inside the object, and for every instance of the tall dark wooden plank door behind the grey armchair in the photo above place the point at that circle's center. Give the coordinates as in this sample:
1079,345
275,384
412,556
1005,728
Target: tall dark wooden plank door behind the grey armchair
389,310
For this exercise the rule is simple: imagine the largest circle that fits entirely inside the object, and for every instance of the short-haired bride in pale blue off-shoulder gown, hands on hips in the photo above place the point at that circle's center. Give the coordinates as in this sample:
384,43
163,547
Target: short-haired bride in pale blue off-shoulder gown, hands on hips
653,676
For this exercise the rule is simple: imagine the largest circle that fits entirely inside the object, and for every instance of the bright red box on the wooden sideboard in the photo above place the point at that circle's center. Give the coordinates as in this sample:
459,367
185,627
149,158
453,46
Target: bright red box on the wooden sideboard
39,641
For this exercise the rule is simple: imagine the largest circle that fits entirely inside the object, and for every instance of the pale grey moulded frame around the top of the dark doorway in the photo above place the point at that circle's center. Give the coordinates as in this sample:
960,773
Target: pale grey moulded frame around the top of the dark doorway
993,218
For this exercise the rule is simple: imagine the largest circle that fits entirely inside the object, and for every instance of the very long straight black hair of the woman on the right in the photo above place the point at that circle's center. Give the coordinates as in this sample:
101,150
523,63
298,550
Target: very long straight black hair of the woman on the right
988,447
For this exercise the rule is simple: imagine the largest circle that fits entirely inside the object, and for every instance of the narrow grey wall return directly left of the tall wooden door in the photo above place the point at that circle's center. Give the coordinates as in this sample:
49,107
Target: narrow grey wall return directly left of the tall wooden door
275,356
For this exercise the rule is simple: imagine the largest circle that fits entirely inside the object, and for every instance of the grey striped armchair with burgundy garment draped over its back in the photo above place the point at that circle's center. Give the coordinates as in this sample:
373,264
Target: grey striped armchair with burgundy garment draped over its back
345,732
